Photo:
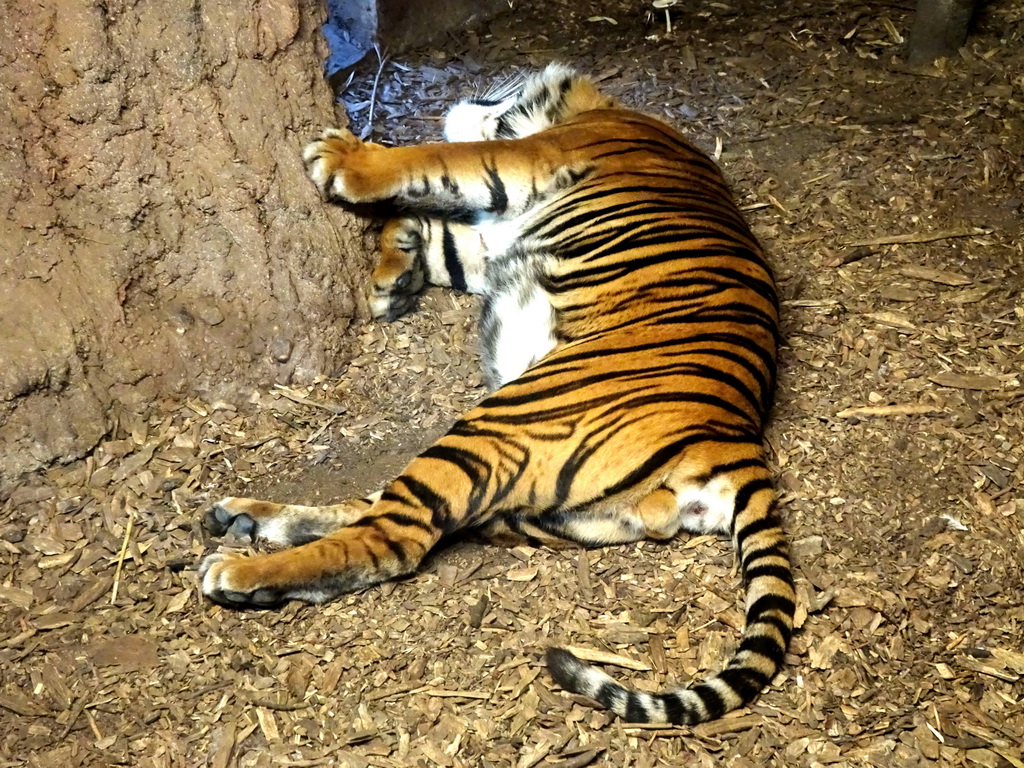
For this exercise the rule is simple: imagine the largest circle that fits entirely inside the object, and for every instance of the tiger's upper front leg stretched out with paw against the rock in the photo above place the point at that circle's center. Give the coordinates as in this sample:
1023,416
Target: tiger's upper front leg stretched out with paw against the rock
455,181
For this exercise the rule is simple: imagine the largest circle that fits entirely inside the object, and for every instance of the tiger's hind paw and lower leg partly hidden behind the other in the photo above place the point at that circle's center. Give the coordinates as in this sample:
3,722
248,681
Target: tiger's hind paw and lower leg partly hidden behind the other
282,525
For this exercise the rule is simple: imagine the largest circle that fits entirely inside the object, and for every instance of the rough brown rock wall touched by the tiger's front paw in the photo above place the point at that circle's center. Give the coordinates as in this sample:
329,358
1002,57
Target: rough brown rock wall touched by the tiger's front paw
158,235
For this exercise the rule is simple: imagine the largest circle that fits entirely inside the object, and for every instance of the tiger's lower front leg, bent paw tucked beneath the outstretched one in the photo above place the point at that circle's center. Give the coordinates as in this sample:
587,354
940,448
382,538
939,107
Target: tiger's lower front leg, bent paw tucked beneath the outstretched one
416,250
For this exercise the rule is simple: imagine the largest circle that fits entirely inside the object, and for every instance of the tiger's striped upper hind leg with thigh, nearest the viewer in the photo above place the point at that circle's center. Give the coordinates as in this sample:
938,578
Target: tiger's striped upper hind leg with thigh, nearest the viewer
476,473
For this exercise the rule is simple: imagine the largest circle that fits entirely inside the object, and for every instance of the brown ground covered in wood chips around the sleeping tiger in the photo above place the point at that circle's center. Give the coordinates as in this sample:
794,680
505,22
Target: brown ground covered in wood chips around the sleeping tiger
891,202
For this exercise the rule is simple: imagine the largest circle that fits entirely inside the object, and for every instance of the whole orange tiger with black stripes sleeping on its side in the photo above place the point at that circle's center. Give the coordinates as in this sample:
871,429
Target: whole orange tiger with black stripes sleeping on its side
630,328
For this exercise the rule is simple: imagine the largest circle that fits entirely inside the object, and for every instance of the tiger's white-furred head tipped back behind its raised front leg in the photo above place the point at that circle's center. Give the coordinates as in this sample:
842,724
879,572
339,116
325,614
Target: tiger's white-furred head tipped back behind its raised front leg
525,106
